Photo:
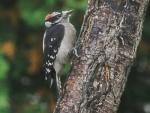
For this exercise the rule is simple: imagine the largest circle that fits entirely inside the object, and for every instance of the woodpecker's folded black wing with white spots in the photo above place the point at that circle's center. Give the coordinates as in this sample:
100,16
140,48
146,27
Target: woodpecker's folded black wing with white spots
51,41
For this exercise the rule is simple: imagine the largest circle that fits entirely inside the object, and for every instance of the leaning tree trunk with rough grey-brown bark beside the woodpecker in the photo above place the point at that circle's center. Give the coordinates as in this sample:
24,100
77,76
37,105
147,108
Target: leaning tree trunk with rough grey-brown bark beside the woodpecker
108,42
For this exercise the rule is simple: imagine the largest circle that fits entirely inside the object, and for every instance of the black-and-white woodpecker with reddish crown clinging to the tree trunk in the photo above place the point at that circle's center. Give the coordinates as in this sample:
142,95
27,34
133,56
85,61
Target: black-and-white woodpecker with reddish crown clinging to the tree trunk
58,41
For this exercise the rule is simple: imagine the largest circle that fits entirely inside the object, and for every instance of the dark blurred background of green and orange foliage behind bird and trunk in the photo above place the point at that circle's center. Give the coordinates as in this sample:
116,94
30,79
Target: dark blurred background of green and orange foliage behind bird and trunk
22,85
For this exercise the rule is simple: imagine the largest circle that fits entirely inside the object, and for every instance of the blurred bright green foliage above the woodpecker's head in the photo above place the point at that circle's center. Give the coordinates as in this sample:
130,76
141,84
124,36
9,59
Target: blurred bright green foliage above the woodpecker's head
33,13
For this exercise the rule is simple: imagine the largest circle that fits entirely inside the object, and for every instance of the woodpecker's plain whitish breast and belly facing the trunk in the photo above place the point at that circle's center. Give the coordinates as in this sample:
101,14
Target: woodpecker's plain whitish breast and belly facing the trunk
67,43
